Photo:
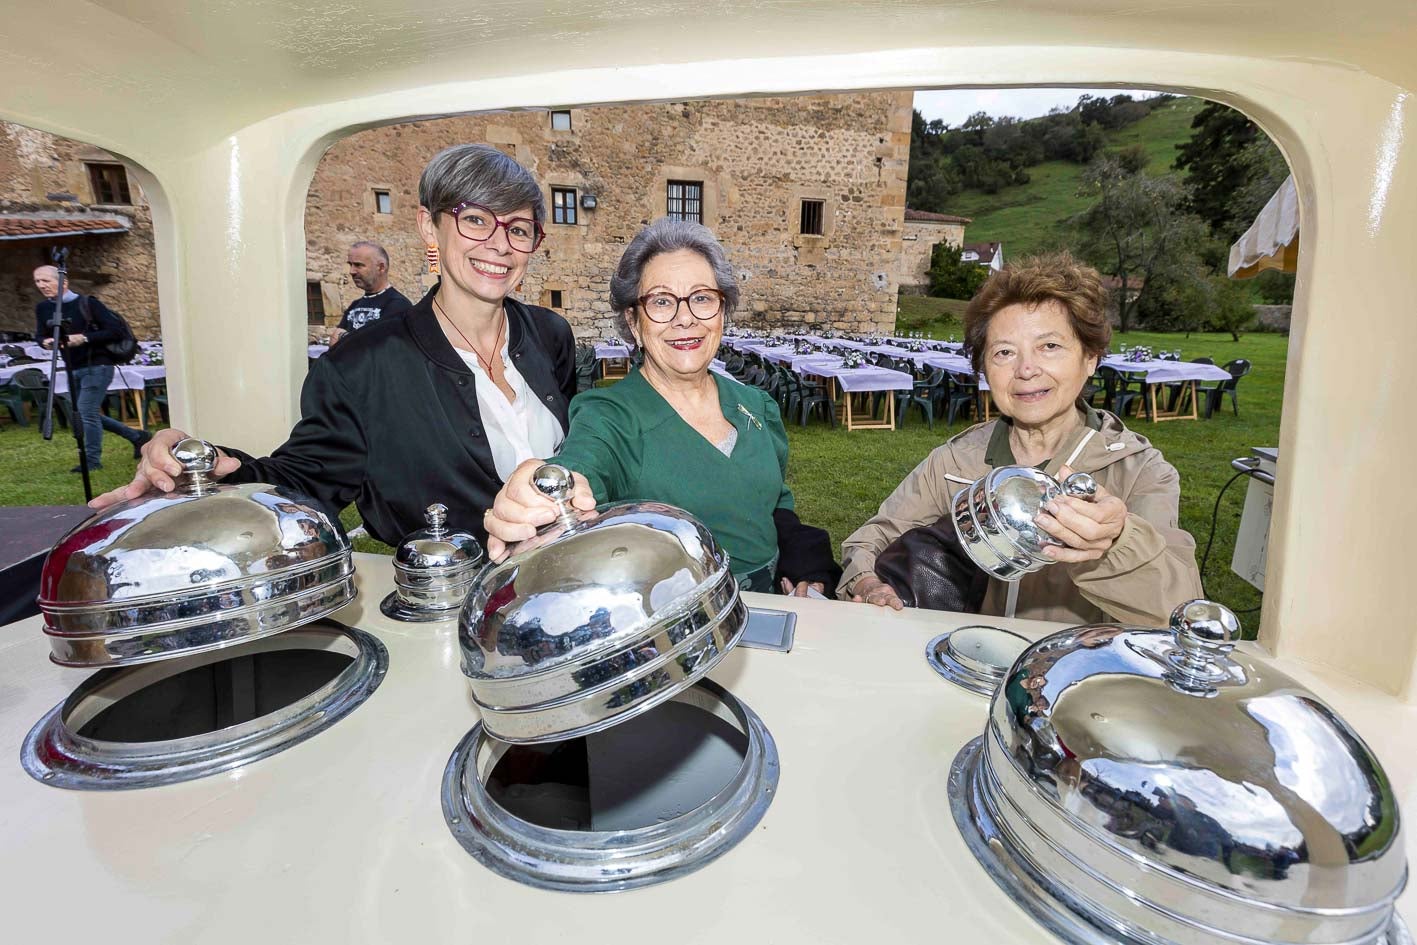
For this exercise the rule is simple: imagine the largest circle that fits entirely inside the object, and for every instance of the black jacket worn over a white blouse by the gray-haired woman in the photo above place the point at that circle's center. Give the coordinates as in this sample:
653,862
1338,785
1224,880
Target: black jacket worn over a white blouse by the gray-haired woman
389,420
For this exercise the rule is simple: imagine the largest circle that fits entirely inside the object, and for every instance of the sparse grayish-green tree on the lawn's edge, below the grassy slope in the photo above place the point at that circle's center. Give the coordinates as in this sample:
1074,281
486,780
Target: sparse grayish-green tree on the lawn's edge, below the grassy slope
1134,230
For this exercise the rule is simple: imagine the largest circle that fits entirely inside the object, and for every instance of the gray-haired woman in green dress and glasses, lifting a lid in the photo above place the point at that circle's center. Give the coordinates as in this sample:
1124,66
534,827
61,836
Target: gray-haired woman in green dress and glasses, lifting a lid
677,433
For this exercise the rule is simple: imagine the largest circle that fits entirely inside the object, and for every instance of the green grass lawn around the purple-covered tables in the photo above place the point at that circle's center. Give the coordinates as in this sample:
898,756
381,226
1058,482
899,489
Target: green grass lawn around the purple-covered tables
842,478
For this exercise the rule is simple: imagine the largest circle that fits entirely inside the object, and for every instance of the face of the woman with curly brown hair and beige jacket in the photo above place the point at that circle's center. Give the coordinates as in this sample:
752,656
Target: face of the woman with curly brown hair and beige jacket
1035,363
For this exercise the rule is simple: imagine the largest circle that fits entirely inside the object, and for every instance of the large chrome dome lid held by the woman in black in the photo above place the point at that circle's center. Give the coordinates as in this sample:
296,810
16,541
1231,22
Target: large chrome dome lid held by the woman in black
206,566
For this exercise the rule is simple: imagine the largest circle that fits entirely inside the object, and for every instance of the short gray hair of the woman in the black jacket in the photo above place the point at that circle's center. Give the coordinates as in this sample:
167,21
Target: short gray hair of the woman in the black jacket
480,175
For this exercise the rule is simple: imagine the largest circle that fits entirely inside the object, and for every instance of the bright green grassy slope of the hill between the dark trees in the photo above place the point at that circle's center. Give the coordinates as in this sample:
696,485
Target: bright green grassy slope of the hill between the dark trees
1032,217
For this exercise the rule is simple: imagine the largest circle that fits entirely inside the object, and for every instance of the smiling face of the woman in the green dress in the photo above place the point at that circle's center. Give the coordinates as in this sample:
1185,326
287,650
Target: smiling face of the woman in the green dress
685,345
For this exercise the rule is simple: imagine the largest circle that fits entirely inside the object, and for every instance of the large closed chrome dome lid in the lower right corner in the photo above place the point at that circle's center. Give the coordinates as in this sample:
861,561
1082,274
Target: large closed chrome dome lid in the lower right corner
1164,788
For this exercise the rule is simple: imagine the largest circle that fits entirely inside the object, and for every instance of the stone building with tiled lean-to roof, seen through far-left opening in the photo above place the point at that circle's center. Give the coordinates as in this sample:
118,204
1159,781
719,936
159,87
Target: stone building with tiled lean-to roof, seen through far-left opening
53,189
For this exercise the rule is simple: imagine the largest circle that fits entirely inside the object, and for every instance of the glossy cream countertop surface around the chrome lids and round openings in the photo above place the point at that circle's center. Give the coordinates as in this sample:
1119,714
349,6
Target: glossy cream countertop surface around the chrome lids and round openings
342,839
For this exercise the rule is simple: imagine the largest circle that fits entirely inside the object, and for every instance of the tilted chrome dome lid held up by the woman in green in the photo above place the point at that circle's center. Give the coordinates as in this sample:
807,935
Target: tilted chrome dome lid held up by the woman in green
597,618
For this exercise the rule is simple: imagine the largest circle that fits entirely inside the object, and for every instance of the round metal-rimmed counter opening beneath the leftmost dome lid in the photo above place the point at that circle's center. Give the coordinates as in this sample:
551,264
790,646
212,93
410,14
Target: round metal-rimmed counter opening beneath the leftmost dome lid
189,718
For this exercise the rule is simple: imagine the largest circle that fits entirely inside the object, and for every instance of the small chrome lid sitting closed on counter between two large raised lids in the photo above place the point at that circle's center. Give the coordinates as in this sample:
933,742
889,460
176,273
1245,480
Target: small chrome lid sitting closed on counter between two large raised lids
434,570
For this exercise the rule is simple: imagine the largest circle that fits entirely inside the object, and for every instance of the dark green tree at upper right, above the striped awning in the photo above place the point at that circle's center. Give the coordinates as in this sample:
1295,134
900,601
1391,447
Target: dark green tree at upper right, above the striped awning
1232,169
